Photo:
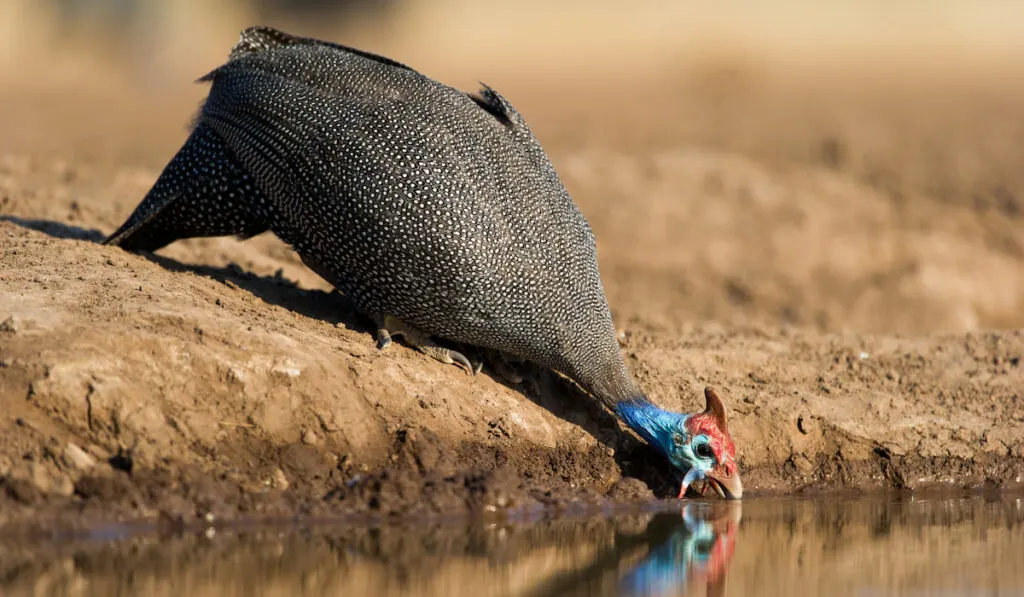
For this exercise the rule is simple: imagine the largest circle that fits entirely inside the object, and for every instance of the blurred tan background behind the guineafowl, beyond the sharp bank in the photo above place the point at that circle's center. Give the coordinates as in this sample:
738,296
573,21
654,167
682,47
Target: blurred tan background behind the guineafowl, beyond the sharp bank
844,166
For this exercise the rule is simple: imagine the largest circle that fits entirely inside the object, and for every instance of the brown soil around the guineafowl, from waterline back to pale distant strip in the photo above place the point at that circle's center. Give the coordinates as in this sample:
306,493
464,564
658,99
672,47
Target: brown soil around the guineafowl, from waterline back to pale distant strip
844,259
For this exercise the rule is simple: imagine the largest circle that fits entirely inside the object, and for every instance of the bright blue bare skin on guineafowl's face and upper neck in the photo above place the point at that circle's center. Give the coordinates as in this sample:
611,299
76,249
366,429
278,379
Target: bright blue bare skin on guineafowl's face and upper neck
667,432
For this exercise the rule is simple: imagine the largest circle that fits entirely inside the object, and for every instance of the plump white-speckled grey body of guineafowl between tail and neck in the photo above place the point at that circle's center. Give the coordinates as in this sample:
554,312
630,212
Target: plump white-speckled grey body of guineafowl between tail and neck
421,201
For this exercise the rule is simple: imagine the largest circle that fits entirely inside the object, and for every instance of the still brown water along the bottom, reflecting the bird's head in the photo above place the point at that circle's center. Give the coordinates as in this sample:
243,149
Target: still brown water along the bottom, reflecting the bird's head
858,547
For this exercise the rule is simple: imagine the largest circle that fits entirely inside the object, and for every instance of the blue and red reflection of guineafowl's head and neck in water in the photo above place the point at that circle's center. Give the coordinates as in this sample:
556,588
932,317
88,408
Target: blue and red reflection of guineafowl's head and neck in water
672,556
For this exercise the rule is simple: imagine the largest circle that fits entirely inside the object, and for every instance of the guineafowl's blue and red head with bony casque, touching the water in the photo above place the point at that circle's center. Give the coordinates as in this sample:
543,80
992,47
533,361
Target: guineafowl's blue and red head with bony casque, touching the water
699,445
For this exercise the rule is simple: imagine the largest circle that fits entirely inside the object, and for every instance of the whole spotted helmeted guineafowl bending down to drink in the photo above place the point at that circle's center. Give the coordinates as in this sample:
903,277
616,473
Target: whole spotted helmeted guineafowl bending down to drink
436,211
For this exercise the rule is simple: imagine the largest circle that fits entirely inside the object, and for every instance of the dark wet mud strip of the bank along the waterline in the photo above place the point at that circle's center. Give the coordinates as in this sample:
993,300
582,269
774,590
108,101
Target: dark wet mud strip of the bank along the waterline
426,479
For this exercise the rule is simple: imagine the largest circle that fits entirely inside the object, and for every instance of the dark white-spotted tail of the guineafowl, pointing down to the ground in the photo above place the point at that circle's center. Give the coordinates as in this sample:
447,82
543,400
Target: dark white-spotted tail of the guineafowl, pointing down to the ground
204,192
